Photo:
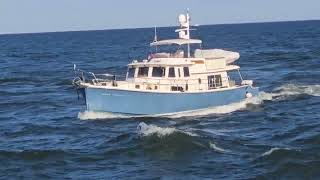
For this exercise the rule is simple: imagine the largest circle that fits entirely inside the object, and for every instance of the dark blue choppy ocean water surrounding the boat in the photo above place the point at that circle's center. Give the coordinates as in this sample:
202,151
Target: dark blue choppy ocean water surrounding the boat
46,133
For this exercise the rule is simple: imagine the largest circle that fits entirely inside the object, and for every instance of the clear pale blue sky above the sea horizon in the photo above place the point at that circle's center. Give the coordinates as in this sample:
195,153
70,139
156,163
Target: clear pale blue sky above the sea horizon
21,16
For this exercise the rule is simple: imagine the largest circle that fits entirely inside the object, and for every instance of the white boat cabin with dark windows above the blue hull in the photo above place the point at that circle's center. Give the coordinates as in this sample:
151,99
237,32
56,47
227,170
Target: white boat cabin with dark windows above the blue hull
176,72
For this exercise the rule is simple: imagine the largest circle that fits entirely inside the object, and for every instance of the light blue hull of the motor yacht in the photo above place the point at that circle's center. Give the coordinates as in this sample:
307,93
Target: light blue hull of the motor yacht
133,102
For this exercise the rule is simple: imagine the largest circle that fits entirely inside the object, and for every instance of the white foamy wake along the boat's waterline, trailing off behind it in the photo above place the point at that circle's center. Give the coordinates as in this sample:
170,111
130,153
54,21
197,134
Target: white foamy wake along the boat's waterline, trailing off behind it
280,93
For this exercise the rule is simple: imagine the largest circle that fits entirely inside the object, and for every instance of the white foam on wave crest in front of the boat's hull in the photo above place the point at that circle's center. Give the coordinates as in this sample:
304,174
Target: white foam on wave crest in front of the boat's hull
144,129
